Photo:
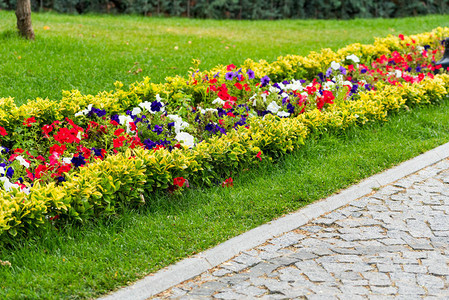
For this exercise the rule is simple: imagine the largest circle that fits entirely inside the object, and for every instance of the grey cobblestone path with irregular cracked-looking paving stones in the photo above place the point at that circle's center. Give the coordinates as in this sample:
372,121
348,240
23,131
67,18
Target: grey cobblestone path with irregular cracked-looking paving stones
392,244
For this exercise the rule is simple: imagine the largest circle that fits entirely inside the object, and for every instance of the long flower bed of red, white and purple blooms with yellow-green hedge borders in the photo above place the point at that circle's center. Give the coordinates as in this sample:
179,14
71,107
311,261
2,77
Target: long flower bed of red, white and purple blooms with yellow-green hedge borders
86,156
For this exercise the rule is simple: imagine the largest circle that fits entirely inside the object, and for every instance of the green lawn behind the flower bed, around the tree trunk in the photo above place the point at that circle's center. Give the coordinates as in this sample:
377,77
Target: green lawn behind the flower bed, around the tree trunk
90,53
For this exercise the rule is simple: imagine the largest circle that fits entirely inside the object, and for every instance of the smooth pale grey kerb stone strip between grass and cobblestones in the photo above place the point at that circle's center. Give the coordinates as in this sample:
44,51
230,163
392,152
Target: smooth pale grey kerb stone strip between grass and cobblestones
190,267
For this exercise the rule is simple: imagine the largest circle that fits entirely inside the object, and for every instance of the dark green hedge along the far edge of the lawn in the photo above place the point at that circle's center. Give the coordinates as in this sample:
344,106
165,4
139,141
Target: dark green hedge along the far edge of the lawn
247,9
